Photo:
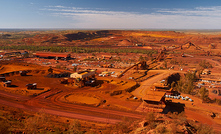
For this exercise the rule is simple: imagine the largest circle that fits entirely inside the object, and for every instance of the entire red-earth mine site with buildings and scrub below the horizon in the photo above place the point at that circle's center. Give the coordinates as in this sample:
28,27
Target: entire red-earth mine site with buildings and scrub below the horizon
110,81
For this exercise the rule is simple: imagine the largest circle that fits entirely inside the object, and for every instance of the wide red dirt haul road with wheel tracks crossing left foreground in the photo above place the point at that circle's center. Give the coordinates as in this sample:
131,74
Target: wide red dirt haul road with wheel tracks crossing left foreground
49,103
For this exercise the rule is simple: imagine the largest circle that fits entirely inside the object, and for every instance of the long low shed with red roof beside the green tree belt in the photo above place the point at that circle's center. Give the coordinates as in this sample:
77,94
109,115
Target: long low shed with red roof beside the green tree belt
55,56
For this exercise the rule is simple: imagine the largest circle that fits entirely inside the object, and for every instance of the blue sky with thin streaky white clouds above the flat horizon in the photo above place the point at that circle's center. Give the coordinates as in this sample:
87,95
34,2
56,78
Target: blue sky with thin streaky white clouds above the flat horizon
111,14
